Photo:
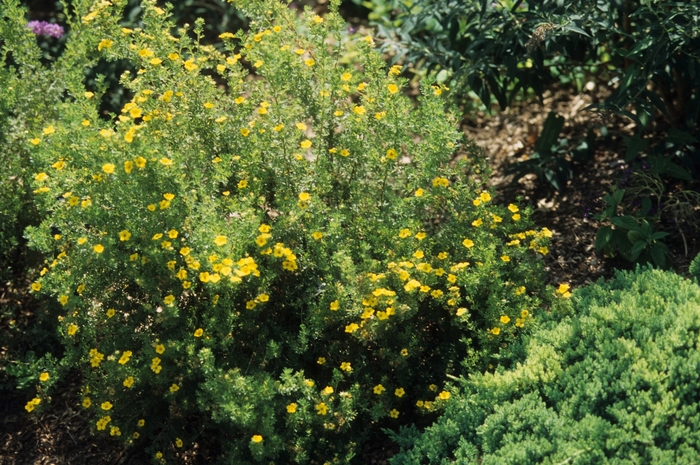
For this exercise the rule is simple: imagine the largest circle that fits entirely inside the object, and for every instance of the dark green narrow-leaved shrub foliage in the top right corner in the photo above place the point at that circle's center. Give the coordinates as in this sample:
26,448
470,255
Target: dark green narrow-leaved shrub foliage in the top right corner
500,48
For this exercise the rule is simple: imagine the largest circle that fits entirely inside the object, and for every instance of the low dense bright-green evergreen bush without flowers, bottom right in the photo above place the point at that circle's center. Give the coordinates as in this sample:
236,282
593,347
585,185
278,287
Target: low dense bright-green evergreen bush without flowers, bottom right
611,378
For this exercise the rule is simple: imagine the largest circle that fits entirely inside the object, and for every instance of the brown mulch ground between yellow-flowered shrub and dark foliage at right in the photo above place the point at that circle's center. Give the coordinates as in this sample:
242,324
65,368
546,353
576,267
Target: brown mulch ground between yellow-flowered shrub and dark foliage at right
510,136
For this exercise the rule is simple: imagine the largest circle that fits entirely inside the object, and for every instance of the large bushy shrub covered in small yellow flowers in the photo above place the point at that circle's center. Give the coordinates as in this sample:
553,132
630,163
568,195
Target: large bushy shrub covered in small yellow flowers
268,245
